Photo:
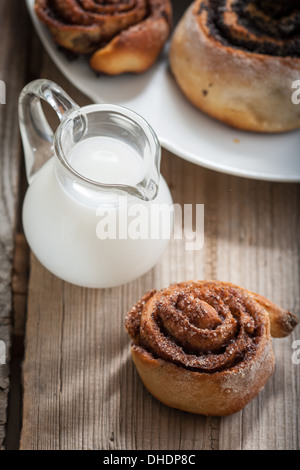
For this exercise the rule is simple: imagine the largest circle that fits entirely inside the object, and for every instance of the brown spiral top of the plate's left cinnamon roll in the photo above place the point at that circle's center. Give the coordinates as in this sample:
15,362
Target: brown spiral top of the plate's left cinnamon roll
83,26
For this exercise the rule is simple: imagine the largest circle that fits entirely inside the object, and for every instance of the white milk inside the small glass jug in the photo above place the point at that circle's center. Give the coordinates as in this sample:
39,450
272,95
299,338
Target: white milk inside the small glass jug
62,229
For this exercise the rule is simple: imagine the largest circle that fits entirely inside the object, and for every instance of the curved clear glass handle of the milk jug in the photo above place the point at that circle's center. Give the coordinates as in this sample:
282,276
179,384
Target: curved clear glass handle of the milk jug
36,133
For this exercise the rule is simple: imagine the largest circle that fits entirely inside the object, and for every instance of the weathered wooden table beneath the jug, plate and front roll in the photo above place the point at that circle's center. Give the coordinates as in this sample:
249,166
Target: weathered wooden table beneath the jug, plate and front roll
69,382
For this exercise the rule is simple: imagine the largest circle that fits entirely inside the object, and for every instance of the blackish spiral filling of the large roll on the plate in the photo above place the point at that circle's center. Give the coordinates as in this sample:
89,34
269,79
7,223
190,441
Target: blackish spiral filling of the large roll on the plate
260,26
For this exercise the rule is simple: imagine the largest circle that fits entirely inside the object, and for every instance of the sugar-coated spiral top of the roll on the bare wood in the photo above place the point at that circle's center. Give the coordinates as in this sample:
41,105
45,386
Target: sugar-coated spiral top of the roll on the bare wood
201,326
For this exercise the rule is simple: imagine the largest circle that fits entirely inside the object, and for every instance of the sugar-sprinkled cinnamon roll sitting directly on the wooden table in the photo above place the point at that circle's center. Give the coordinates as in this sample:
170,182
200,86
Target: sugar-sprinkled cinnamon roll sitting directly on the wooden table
205,346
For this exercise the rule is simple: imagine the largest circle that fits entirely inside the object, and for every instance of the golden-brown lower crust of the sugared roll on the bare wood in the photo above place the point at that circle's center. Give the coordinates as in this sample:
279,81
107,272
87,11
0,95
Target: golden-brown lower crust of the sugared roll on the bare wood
222,394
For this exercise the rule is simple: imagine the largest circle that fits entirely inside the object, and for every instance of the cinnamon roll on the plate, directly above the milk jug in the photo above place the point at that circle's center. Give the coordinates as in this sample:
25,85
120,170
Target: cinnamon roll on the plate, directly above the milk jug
118,35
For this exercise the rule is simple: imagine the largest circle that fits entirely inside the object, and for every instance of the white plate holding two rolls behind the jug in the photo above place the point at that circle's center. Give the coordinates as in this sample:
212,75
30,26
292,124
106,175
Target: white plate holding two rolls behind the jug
181,128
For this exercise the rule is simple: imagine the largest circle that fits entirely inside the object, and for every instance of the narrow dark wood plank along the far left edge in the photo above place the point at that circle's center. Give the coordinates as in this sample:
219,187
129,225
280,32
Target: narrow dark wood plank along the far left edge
14,37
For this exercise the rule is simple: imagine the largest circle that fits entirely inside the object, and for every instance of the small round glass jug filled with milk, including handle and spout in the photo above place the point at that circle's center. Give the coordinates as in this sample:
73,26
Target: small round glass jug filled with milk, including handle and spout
94,213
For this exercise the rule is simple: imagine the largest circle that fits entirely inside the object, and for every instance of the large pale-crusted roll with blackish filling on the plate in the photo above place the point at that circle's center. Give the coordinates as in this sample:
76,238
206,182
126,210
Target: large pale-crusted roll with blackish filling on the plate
236,60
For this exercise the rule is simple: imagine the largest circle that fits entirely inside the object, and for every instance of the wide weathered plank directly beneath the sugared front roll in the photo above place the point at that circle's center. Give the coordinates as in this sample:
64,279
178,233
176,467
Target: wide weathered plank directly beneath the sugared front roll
81,390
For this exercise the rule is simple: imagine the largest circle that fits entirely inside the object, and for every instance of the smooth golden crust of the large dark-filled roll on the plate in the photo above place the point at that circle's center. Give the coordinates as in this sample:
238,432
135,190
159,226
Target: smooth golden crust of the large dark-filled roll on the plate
238,86
